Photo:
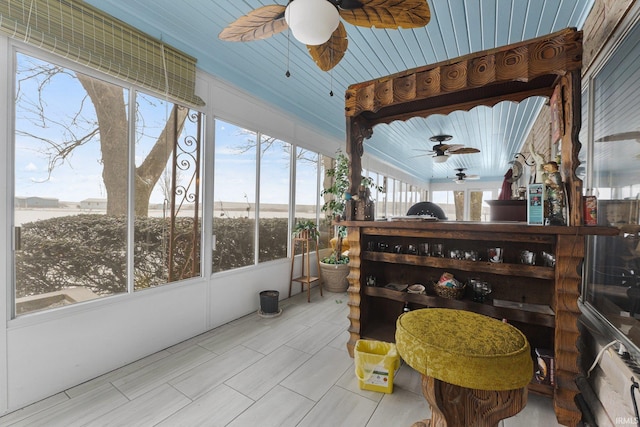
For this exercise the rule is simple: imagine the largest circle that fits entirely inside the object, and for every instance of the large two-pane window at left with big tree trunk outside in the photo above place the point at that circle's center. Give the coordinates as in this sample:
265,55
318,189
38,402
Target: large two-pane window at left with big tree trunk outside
72,189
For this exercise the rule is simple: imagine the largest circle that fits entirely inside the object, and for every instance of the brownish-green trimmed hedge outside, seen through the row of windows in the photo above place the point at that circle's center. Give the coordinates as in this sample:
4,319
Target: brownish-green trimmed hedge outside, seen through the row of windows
90,251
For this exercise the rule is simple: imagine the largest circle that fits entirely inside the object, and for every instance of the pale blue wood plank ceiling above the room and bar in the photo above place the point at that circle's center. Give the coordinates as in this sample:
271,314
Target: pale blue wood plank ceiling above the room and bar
457,27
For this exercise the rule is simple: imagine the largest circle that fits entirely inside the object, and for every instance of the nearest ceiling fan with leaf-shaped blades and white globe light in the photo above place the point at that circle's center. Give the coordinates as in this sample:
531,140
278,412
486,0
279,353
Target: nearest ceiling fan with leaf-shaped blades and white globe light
317,24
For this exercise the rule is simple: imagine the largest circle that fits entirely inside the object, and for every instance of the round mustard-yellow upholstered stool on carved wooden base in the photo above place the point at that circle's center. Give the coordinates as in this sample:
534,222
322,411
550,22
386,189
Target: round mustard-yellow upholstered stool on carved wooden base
475,369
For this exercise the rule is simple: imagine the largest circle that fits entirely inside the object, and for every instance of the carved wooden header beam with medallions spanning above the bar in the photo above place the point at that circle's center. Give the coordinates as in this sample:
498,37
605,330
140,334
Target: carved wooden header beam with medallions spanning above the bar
512,72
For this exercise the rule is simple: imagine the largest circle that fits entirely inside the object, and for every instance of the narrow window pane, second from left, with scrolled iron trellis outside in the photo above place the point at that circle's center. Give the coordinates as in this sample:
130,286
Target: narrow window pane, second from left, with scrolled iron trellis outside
167,192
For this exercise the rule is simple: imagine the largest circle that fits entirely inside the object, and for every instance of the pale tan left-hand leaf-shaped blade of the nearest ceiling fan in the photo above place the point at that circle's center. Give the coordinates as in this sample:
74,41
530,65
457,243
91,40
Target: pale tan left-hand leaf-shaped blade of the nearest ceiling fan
258,24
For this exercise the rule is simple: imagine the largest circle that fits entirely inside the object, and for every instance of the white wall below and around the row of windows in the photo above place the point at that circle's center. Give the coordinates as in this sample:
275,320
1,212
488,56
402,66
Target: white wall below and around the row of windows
45,353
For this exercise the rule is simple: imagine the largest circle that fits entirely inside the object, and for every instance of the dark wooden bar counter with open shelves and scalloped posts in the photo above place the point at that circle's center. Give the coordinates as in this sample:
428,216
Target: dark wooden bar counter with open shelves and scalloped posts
541,300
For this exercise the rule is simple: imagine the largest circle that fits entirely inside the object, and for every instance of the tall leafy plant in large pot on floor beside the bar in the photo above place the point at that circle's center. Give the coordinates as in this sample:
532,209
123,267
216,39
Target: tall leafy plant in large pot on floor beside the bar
334,267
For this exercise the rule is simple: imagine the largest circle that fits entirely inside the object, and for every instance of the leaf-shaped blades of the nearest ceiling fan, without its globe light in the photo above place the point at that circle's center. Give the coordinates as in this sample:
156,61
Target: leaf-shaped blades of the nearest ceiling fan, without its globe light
269,20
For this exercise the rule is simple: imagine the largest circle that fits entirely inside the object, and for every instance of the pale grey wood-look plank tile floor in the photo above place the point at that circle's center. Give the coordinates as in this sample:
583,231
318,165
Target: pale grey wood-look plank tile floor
290,370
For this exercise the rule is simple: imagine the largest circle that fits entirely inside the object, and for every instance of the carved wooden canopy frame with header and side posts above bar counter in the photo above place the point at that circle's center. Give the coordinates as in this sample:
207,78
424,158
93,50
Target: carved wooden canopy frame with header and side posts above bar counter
510,73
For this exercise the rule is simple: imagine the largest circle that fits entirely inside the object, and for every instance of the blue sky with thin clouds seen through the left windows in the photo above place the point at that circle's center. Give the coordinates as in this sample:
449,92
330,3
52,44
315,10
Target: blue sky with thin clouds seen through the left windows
69,114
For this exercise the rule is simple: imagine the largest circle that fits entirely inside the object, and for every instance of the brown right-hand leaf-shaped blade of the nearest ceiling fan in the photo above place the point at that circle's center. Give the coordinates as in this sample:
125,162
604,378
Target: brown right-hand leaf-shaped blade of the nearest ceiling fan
392,14
